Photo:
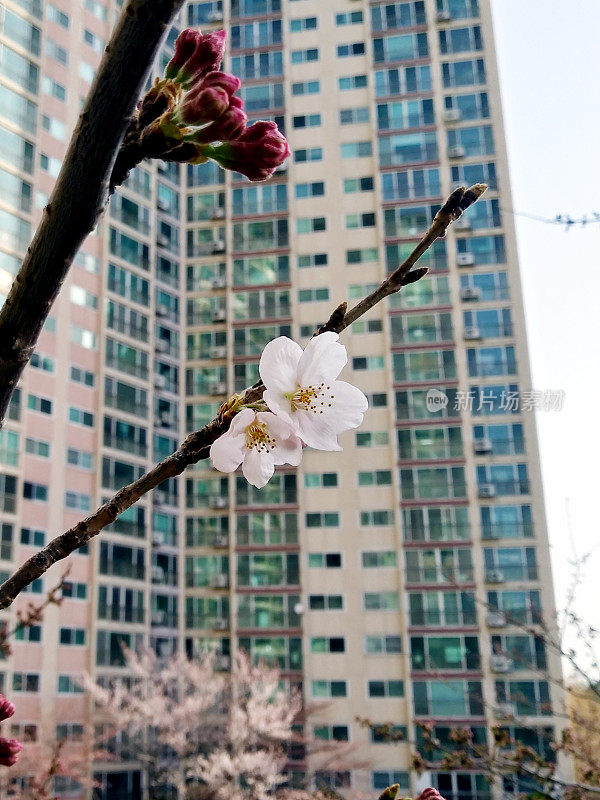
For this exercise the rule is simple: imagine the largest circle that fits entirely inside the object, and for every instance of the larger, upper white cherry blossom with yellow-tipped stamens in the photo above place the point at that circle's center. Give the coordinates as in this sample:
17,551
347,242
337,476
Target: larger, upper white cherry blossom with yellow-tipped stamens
302,389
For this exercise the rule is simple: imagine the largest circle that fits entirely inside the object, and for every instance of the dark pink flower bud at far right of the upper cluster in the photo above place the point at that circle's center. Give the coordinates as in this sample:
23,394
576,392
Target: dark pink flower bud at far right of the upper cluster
256,153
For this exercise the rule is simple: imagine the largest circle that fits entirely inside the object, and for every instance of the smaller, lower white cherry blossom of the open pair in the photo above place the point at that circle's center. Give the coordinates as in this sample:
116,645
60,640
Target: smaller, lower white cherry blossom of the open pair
259,441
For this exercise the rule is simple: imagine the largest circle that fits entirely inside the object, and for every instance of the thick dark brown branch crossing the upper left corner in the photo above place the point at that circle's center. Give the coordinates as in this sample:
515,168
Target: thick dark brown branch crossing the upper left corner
81,191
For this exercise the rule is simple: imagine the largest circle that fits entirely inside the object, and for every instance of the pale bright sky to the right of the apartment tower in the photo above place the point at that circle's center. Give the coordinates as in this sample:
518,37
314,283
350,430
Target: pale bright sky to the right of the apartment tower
548,57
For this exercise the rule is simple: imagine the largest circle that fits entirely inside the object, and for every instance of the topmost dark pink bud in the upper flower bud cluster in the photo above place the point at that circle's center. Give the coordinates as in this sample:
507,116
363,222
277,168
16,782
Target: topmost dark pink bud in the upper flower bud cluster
196,54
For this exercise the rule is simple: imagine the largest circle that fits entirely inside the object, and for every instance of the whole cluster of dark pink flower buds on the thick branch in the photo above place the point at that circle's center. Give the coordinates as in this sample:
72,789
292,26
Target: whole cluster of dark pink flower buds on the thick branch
194,114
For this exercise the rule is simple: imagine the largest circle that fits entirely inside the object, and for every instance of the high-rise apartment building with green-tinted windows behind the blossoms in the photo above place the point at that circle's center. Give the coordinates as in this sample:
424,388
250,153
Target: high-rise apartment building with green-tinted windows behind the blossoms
401,578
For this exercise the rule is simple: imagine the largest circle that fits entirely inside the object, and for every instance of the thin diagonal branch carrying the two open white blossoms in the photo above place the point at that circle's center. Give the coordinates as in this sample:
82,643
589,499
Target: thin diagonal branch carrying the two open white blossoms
197,445
